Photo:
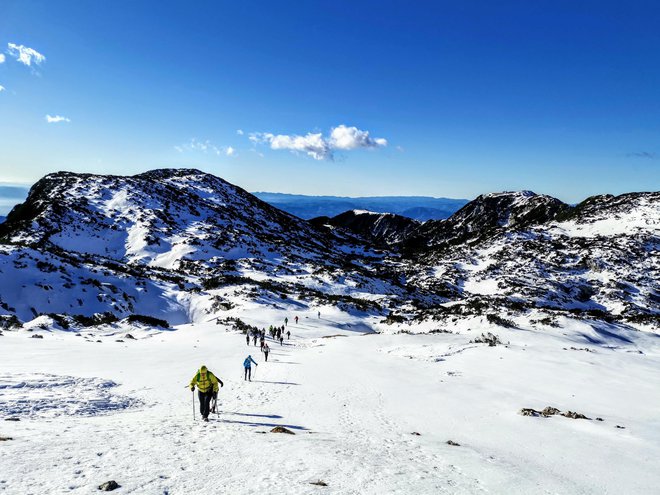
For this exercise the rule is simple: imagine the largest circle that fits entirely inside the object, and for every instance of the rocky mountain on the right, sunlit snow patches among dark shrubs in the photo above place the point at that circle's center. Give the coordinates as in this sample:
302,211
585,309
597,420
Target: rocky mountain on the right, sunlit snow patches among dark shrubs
597,260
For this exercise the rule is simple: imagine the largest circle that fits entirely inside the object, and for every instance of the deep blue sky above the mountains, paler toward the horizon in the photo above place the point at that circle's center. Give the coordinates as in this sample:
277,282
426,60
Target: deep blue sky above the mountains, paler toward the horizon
343,98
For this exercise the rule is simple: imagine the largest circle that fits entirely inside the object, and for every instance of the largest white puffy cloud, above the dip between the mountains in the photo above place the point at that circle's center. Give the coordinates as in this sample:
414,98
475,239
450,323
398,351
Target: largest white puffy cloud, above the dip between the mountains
318,147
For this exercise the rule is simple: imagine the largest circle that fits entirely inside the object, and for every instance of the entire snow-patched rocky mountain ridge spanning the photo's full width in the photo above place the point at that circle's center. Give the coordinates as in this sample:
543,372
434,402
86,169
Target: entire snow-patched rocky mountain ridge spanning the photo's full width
182,245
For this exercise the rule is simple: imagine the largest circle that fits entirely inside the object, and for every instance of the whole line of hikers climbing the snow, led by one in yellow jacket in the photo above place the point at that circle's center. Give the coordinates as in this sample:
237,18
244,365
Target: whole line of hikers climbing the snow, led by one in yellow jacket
208,384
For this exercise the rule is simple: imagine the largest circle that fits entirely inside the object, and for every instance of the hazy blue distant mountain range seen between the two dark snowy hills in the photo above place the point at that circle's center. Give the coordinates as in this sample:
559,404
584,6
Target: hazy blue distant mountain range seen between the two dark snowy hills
420,208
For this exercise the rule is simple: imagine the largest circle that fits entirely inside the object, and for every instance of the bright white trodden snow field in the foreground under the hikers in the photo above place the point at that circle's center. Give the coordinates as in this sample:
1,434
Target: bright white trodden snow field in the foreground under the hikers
353,400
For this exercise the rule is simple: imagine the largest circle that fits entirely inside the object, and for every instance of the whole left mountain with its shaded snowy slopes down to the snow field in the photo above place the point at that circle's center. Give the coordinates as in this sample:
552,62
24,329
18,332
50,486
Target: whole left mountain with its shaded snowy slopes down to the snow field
161,243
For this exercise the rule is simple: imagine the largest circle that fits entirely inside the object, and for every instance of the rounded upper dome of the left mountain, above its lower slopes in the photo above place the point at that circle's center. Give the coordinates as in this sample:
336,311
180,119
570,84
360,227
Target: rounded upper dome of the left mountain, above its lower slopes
158,218
